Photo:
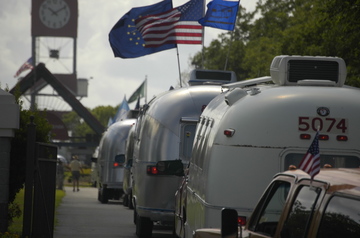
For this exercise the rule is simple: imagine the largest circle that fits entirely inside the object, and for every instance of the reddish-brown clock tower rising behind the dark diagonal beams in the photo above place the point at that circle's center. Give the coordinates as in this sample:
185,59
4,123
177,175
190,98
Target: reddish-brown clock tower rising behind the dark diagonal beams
54,33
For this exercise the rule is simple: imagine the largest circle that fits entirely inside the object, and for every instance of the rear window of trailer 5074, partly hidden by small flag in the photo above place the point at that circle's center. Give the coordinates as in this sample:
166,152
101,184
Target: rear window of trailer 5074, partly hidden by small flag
335,161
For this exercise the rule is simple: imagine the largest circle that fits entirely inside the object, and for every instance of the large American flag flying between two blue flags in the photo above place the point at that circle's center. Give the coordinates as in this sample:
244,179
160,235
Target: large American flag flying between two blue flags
176,26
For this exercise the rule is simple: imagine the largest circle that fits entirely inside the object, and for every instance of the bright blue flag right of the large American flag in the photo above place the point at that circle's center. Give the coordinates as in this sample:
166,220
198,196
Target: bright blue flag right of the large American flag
221,14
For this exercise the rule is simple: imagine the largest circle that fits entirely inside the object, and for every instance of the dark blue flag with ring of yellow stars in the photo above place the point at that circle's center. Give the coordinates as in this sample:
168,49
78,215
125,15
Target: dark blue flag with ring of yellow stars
126,41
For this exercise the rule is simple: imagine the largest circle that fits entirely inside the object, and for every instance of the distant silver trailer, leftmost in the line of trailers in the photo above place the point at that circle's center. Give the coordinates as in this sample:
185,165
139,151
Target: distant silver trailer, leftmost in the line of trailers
111,159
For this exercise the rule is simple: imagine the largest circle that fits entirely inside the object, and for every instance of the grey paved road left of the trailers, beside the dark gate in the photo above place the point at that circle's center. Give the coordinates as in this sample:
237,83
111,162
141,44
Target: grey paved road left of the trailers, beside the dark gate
80,215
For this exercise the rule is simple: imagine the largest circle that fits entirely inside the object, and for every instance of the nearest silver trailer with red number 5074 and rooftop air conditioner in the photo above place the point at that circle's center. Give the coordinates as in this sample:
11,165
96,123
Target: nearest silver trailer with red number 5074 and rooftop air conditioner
263,126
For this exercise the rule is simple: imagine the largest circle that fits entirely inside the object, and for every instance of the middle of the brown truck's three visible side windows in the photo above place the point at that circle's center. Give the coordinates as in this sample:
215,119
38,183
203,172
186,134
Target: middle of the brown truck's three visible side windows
301,212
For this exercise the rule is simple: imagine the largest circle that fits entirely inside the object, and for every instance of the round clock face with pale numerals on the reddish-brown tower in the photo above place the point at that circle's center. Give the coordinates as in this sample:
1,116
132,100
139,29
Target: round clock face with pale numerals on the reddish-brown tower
54,13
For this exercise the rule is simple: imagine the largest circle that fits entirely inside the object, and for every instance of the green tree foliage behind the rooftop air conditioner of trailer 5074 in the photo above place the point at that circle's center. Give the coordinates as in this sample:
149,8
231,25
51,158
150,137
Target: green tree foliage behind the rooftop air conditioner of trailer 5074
287,27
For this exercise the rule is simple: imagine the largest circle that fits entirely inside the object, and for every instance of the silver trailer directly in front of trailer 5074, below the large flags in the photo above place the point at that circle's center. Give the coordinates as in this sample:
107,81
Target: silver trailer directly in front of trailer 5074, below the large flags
165,131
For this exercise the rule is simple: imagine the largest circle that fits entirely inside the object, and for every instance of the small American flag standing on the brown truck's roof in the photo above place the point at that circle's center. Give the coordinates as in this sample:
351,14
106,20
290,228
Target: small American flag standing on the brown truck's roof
311,161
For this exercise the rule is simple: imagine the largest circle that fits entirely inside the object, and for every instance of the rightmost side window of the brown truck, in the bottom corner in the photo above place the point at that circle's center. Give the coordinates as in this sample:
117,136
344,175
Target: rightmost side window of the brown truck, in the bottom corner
341,218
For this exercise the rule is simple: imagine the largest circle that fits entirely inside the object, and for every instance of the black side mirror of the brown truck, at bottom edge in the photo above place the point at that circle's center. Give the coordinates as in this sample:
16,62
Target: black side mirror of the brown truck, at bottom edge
229,223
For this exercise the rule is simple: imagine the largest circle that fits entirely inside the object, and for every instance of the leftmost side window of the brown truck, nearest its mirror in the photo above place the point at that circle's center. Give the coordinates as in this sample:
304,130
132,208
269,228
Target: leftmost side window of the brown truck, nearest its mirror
269,210
